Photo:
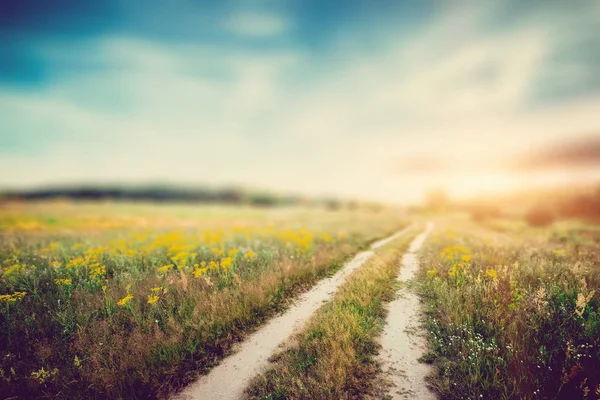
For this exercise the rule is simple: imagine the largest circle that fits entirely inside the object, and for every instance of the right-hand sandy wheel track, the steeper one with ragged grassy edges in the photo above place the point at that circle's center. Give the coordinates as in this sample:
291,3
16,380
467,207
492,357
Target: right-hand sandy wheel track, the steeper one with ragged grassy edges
401,342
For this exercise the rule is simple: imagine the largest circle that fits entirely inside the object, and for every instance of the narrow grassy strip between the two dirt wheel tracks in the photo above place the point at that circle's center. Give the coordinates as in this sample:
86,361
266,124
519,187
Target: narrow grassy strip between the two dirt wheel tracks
333,357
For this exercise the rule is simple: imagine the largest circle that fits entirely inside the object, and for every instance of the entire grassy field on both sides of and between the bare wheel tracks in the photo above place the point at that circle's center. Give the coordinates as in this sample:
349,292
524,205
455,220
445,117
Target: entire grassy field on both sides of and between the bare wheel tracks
134,300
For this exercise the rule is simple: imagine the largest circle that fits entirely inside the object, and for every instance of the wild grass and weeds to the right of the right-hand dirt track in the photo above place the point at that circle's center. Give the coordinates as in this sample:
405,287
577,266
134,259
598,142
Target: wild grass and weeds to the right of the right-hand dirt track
513,313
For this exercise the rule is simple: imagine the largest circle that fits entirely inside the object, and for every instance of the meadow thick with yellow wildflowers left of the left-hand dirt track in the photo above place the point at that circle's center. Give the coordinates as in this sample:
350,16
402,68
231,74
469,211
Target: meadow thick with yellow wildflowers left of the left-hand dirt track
127,301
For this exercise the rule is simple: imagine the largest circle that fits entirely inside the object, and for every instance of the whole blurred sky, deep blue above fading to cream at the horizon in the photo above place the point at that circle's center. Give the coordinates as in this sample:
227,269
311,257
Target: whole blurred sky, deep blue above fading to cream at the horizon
369,99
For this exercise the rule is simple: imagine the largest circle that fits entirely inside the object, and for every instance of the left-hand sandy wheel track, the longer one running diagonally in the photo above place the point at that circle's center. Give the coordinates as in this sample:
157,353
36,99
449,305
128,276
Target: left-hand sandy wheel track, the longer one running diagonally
228,380
